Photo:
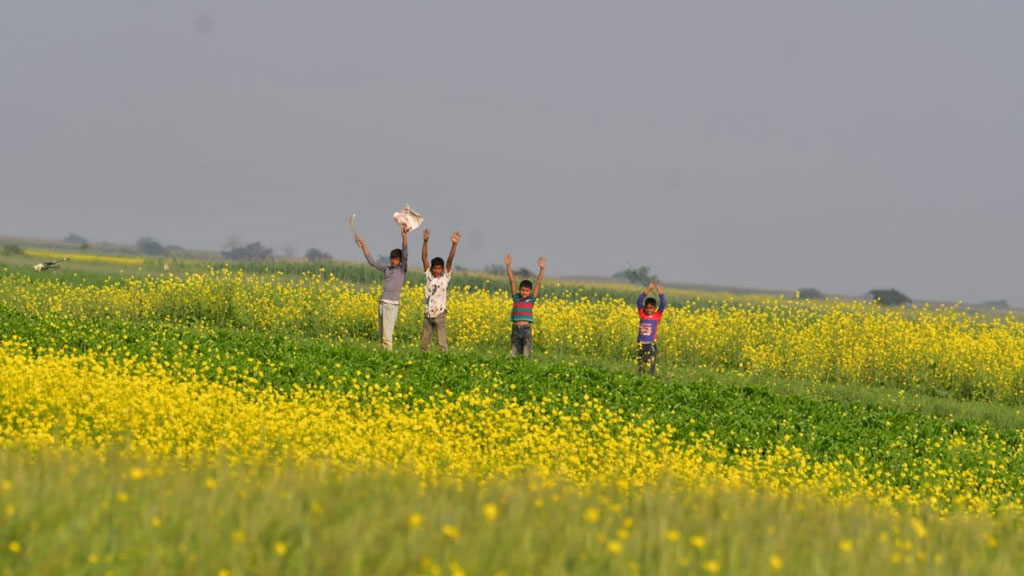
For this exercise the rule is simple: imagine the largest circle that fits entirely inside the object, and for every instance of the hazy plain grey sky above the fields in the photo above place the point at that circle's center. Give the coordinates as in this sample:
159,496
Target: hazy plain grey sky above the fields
785,145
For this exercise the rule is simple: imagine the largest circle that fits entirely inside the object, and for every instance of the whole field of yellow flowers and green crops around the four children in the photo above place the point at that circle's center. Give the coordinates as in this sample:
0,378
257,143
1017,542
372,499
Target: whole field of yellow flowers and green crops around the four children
233,423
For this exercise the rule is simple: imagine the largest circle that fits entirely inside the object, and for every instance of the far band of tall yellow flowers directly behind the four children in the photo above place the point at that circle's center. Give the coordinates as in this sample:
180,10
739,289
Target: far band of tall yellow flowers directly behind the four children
948,352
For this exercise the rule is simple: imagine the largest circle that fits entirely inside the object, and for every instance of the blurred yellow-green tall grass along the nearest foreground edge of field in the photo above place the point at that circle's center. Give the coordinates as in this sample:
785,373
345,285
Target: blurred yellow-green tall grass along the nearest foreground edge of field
86,514
